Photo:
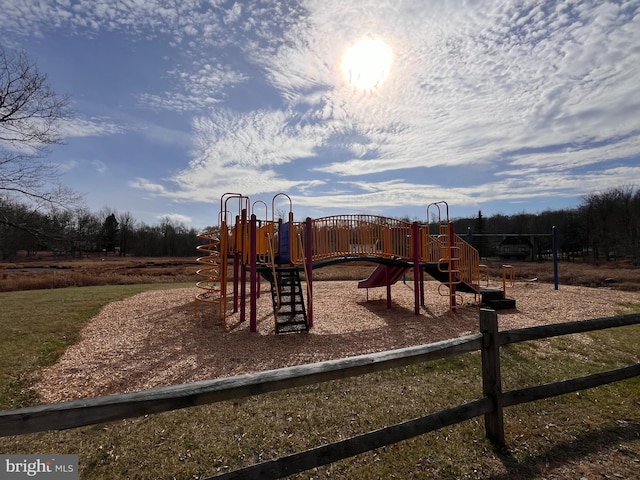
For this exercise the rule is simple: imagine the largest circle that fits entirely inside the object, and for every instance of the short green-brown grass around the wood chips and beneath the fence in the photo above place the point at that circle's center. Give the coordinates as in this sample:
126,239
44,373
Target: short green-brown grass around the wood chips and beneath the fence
590,434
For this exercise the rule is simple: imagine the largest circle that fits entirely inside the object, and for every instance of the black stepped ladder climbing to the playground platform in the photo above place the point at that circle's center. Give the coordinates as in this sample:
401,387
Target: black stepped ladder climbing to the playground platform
288,299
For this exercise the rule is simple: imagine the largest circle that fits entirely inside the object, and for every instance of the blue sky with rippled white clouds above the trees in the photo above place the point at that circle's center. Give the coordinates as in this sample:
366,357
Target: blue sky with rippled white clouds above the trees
499,106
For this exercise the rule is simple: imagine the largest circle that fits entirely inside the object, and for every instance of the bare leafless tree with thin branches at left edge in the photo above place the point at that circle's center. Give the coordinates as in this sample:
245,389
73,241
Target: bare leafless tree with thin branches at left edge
30,116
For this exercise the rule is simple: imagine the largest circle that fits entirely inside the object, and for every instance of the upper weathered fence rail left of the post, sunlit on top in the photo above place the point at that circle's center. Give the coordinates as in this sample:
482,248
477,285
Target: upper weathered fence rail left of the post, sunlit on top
77,413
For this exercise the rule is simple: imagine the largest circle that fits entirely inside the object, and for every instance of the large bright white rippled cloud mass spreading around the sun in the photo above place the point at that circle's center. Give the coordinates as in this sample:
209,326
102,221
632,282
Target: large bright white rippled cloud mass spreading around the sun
469,88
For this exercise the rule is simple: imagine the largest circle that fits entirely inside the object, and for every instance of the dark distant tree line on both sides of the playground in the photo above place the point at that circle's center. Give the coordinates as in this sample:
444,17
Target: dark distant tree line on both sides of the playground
603,227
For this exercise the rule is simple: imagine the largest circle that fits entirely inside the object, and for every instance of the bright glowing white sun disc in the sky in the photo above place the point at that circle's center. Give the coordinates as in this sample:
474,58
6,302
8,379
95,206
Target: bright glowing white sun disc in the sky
366,63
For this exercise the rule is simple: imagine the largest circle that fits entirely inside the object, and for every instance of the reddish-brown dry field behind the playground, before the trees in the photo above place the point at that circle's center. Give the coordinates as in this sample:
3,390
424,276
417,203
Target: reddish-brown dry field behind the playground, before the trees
44,271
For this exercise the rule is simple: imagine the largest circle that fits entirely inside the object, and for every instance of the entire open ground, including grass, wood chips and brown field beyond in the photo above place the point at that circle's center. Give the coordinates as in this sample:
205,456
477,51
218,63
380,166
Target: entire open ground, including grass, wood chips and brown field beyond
592,435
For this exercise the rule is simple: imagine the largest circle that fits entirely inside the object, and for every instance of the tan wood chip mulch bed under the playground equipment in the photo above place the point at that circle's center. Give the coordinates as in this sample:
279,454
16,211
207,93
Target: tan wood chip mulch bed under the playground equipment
153,339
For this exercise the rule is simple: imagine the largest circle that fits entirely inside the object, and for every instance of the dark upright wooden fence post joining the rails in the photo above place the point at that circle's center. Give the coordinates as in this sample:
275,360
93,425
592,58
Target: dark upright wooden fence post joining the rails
491,379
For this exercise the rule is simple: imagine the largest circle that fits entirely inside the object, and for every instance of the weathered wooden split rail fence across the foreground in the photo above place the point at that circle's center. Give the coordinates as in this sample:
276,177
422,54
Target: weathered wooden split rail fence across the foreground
116,407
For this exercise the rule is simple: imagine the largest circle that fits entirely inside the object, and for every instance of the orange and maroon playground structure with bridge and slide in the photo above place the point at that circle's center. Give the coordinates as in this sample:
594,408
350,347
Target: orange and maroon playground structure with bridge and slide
280,250
